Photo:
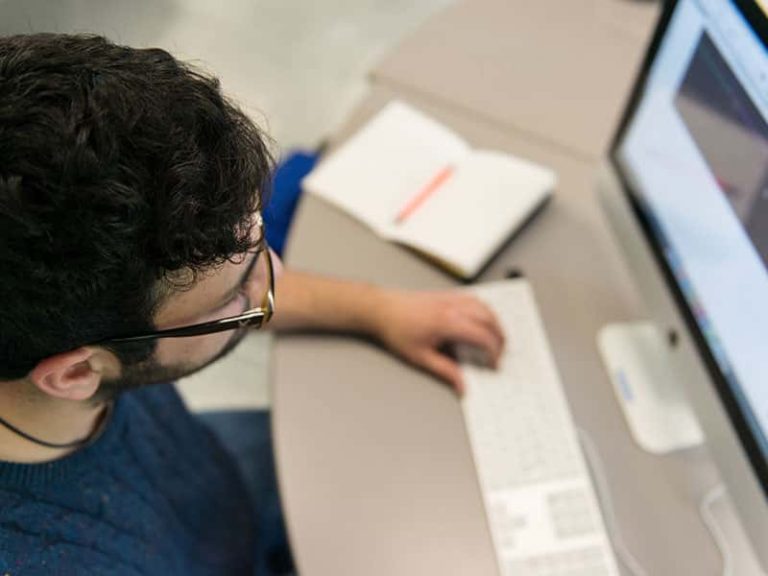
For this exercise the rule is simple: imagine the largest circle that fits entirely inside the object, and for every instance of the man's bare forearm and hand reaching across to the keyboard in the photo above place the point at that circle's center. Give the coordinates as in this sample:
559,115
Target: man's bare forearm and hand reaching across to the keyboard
414,325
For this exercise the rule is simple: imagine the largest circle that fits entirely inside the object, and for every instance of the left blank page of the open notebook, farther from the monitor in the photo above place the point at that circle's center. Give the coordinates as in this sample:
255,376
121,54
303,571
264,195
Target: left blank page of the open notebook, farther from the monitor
375,173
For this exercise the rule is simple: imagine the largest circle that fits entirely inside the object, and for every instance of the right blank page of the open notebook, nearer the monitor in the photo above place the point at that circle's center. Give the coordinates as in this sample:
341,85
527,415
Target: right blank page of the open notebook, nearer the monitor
489,195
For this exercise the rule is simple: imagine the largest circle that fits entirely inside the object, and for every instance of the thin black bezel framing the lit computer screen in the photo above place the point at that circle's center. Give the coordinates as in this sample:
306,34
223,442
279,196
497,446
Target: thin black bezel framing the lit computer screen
759,22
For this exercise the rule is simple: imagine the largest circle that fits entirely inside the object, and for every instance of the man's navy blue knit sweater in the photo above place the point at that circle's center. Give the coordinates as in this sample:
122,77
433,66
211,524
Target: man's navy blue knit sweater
156,494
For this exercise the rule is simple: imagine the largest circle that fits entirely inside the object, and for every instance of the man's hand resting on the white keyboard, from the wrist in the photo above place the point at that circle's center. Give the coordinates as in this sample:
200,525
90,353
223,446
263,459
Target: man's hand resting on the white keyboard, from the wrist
417,326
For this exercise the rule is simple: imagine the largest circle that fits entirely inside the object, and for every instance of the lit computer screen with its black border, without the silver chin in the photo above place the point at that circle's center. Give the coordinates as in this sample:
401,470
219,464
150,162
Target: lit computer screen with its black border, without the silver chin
694,151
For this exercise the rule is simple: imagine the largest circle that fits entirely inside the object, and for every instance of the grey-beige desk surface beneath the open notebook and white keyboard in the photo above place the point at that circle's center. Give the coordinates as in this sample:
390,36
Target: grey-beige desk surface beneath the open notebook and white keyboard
373,459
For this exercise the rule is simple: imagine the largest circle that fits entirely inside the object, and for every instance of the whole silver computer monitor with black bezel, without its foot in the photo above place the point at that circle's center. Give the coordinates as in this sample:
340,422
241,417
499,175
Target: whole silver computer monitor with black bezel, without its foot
685,189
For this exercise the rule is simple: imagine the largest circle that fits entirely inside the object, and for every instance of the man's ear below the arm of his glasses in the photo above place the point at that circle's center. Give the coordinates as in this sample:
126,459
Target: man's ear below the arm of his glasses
73,375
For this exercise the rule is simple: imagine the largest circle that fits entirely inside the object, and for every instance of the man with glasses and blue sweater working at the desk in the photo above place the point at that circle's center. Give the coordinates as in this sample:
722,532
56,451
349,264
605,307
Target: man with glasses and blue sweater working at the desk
132,253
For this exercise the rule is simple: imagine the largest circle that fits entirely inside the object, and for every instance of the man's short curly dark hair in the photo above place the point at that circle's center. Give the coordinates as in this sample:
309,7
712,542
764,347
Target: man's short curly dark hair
119,168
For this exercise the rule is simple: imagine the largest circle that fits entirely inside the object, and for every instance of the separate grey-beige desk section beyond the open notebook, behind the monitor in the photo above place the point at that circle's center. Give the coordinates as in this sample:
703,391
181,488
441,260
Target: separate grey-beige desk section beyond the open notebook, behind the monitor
556,70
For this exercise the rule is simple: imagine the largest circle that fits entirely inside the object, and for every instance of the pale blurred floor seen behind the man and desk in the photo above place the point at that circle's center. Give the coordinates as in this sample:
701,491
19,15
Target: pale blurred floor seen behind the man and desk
296,67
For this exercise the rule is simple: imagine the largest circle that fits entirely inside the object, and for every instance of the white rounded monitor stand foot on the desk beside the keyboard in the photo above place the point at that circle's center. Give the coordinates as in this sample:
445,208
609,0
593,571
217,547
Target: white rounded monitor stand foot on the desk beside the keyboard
657,412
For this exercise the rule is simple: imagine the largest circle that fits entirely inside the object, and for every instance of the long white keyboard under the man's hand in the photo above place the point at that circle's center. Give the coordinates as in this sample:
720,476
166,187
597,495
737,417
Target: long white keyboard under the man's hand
541,505
